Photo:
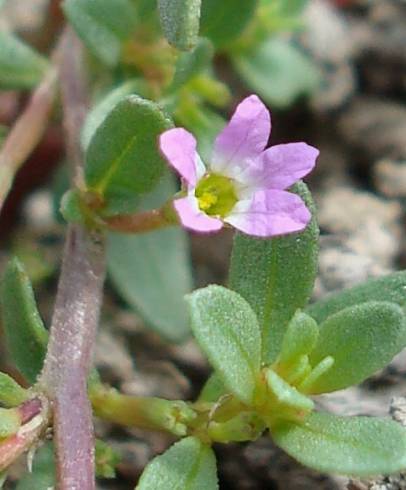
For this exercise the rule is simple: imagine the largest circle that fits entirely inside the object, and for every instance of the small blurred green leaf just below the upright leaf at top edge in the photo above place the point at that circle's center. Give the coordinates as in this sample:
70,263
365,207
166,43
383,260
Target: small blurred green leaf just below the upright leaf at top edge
192,63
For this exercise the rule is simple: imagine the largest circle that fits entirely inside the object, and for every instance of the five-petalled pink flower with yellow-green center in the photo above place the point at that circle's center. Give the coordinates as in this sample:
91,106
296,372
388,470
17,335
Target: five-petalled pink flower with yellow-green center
243,185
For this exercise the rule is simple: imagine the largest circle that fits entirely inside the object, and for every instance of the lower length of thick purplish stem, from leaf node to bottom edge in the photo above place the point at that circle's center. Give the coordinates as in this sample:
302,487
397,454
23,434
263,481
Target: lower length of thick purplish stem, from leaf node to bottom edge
69,357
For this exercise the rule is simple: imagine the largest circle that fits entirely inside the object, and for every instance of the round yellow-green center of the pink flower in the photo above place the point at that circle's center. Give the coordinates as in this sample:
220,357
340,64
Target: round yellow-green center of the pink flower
216,195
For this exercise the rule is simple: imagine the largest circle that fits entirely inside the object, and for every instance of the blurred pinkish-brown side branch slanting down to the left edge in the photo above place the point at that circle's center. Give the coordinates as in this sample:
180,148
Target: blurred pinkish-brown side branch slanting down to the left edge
27,132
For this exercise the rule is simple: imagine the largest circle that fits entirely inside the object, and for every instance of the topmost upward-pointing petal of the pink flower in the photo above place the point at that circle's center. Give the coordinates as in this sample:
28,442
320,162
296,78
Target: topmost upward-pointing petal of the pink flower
245,136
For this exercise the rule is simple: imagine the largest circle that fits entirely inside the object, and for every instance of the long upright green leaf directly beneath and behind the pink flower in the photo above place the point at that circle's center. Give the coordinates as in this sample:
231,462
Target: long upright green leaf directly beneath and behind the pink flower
276,276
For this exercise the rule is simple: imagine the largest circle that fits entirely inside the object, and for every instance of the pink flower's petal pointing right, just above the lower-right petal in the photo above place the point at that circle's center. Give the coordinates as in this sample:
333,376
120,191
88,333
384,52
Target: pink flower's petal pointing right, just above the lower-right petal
280,166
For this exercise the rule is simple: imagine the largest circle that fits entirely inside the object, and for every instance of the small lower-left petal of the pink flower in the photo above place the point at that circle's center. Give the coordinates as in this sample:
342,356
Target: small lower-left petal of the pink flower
193,218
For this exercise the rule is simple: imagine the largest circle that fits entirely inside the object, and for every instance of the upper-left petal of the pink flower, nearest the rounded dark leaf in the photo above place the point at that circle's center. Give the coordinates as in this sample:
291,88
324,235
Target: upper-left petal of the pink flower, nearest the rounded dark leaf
179,148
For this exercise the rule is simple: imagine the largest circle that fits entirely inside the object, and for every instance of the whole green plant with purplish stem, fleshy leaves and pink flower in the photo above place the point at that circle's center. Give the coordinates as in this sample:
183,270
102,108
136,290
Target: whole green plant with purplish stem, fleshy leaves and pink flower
272,351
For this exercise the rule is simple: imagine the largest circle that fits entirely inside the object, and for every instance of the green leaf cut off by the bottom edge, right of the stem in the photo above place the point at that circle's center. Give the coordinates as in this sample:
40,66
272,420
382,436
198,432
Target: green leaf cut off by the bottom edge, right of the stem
187,465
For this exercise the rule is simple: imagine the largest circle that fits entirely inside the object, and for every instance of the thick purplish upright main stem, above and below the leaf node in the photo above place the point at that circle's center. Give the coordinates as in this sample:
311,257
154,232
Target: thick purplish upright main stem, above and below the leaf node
77,306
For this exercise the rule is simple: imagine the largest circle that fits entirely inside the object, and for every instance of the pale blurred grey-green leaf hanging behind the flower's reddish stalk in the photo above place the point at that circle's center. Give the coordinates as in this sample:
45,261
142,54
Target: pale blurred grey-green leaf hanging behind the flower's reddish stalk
152,271
